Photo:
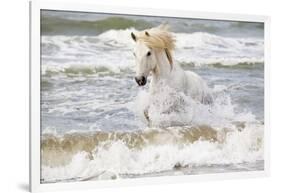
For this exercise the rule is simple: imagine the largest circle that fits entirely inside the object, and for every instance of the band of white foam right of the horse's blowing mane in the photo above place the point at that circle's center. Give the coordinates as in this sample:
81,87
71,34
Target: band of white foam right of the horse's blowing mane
203,49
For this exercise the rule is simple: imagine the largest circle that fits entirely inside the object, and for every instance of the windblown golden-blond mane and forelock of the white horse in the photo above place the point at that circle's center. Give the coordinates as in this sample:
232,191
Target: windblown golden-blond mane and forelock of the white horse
160,38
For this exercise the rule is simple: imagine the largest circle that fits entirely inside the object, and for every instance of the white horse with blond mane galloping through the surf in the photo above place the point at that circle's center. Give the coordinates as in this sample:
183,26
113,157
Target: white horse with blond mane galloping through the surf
153,55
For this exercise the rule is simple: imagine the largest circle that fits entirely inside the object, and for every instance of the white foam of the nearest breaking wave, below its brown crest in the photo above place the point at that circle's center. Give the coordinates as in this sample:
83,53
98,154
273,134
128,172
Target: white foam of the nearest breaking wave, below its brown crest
117,158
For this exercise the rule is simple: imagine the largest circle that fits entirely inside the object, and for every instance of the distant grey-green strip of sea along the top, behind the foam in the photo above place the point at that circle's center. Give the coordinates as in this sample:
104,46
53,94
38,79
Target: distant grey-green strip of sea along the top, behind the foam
79,23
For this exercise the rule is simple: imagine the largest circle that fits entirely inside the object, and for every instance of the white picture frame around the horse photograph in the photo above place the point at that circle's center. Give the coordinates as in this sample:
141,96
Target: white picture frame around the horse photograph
35,7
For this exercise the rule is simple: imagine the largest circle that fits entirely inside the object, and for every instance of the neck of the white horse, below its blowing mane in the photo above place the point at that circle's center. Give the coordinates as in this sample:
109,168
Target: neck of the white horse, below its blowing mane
163,67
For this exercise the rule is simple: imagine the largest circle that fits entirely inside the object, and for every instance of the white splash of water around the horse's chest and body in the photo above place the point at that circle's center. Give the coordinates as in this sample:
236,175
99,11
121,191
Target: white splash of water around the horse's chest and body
169,104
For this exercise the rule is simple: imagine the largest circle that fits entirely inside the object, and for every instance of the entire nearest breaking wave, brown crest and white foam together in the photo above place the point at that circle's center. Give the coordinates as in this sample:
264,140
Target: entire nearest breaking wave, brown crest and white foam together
150,151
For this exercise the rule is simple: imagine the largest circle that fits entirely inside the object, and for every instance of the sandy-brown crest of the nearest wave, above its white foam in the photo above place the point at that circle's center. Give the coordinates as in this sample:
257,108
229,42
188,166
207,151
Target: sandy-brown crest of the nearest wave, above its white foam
69,144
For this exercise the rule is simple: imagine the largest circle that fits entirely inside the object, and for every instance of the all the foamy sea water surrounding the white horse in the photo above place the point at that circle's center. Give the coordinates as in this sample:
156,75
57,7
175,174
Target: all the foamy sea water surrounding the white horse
92,122
